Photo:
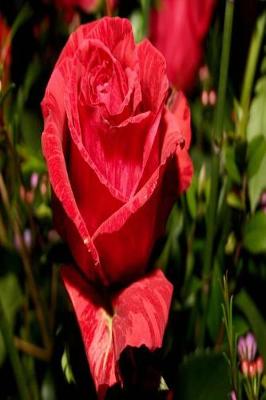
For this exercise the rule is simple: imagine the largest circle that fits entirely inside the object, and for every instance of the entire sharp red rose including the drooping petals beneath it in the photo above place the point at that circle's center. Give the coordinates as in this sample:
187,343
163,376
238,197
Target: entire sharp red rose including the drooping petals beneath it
117,157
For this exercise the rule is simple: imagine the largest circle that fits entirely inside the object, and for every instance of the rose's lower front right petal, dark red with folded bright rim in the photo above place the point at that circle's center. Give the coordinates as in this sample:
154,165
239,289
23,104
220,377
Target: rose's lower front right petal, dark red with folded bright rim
135,227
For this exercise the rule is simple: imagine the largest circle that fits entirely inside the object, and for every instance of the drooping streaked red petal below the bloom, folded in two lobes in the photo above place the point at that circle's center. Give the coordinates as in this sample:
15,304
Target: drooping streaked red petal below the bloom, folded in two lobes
140,314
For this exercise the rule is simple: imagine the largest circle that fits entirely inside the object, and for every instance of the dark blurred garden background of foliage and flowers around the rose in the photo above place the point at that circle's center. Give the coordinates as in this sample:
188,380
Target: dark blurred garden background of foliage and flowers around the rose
38,331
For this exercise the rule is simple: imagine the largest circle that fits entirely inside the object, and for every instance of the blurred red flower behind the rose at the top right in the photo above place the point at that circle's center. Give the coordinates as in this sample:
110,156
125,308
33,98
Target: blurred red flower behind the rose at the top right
177,29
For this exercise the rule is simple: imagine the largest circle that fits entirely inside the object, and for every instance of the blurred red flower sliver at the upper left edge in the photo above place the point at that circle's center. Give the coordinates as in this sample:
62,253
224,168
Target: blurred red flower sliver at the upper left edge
5,52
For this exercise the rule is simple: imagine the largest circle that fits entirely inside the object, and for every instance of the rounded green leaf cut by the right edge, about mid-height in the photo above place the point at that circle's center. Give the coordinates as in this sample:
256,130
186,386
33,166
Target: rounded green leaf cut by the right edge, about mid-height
255,233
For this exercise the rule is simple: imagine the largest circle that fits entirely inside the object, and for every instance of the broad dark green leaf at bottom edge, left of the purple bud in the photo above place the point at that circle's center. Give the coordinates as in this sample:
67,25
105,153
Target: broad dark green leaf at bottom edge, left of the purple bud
203,377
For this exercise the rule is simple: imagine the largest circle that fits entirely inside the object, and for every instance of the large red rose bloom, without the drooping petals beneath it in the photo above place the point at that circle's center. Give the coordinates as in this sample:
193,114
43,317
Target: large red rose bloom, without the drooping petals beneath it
113,149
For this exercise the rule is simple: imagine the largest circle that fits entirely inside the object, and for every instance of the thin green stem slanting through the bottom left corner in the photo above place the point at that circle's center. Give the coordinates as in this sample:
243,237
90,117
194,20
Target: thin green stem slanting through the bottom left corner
13,356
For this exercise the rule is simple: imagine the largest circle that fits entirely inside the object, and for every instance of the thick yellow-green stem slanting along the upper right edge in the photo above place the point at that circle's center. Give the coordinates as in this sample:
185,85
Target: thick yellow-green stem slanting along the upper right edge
250,71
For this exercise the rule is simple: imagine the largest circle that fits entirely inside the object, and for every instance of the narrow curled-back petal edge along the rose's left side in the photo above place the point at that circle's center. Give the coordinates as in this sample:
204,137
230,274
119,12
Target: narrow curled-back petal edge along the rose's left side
54,144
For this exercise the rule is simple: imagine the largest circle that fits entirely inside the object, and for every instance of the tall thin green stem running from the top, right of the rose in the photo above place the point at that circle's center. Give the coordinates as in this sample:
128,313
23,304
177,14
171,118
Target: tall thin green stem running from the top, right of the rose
215,162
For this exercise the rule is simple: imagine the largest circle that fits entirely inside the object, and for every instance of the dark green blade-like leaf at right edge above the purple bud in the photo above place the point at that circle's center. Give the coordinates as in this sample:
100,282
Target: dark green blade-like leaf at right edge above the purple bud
258,325
